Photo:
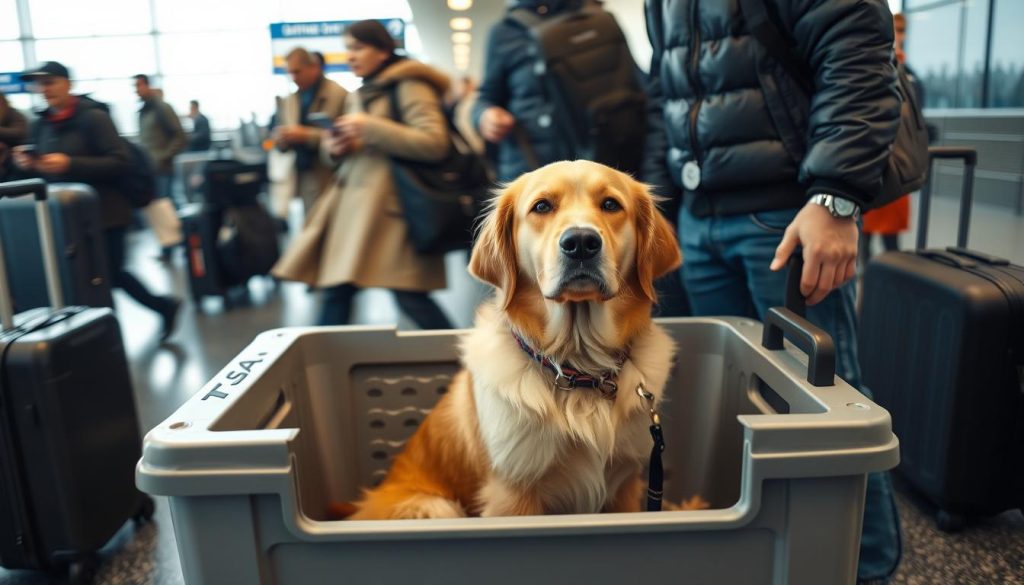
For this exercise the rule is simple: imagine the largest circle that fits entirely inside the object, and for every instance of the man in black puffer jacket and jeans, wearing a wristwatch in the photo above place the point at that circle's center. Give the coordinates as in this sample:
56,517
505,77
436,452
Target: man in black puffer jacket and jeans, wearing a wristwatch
762,169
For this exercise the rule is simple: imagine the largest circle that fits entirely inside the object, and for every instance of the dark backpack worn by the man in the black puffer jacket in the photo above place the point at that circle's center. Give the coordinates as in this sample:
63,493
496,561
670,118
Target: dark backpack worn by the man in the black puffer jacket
908,169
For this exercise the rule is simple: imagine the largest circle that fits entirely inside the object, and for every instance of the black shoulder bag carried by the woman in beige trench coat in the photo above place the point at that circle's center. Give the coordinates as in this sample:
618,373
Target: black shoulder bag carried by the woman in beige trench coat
441,200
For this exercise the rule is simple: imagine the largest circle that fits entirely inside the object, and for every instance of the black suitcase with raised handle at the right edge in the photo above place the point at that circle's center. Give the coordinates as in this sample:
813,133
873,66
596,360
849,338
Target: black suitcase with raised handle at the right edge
943,350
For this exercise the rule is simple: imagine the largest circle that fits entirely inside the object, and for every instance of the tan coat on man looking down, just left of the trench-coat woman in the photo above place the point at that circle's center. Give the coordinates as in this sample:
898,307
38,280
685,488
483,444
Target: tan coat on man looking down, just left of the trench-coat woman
330,100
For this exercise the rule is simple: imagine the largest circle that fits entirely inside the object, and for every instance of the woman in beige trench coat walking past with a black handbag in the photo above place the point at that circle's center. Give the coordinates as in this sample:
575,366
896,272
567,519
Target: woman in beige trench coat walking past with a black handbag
357,235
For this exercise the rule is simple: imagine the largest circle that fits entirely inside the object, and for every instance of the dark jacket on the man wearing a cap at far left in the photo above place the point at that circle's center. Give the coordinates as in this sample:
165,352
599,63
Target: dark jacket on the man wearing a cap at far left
99,156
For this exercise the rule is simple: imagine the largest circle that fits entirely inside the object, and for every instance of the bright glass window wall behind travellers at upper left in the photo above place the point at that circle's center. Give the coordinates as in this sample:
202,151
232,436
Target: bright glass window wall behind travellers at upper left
216,52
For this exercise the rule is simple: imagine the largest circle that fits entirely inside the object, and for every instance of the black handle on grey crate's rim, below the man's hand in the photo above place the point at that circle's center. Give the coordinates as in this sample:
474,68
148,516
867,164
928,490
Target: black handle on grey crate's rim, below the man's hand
789,322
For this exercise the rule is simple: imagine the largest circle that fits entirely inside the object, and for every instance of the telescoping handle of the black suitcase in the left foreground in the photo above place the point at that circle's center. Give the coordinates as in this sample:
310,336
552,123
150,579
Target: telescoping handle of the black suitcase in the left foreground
37,188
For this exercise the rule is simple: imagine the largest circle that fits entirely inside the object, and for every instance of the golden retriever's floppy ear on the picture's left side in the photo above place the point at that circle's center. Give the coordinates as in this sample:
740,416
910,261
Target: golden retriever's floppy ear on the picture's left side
494,259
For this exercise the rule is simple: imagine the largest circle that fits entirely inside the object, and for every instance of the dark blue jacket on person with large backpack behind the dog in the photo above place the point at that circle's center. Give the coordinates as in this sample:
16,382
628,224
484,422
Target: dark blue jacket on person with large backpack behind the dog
509,82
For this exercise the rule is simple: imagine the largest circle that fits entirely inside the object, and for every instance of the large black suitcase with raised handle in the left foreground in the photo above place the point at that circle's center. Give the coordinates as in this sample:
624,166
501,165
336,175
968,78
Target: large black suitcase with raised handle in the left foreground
69,432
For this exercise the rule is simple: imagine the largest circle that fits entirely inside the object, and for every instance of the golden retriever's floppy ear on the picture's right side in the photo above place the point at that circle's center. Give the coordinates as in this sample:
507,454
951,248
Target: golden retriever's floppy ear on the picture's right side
658,250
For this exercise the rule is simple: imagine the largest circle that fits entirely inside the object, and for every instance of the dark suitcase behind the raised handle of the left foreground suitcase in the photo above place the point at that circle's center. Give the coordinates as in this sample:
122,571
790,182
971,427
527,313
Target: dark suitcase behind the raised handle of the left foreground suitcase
78,231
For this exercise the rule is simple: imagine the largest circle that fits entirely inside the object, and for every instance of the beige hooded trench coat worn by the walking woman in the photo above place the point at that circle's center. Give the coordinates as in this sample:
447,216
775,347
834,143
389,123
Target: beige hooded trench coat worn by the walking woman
356,232
